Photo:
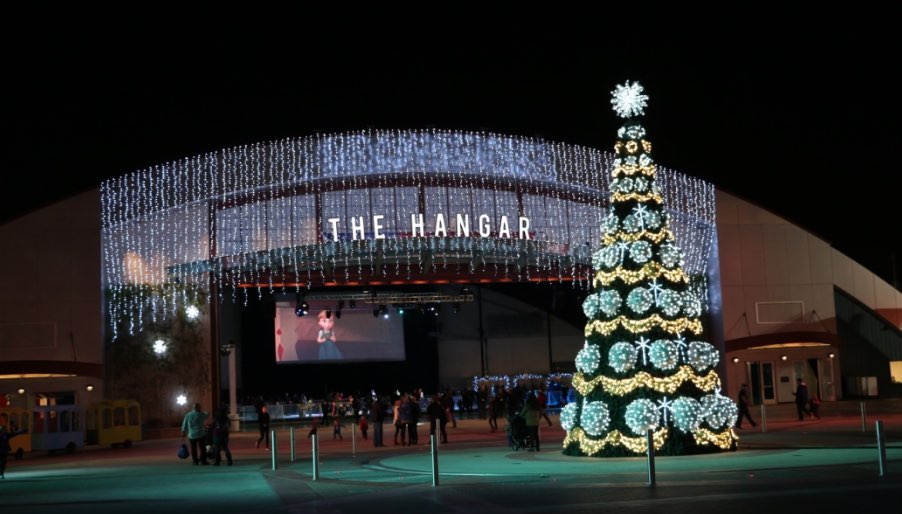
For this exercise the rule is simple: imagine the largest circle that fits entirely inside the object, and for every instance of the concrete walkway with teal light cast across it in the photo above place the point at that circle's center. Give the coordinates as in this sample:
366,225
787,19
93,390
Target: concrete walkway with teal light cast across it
824,463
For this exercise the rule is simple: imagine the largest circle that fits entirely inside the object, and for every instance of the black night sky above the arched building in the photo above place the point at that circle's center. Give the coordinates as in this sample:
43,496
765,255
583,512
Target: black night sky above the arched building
798,116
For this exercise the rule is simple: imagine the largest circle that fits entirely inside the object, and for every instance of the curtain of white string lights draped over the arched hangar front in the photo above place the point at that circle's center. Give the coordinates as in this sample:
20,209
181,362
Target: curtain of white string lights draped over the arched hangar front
249,213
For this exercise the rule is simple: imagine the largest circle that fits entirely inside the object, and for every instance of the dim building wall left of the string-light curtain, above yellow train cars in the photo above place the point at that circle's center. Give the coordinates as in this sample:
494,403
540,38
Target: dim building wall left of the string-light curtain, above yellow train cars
50,292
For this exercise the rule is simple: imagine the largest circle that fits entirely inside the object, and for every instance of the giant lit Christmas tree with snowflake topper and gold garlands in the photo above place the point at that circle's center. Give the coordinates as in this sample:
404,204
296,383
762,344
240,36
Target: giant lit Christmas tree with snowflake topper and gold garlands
645,365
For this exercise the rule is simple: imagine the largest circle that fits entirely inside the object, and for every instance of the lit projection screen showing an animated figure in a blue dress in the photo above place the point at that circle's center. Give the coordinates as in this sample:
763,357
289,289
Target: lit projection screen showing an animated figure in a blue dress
323,335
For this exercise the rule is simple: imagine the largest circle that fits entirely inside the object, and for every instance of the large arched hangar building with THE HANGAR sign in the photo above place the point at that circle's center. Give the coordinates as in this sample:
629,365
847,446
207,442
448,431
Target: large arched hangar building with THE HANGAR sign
488,238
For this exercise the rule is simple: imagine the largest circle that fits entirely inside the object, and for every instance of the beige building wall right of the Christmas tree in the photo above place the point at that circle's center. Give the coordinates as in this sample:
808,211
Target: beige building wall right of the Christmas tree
778,278
